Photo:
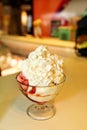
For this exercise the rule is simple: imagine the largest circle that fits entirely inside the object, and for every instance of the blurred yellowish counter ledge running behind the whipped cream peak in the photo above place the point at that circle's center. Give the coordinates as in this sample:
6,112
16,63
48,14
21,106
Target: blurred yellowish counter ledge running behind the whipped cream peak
24,44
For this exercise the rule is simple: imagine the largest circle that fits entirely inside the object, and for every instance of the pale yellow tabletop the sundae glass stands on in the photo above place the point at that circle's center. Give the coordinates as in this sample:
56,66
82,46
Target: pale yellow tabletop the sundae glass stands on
71,103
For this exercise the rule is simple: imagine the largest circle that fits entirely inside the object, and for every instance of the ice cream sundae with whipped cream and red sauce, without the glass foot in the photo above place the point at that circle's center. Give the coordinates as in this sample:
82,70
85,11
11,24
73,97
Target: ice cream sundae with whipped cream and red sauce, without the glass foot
40,74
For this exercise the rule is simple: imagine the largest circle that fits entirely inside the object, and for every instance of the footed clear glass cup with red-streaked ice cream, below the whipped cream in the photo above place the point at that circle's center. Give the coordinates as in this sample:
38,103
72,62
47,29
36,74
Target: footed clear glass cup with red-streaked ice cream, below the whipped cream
42,96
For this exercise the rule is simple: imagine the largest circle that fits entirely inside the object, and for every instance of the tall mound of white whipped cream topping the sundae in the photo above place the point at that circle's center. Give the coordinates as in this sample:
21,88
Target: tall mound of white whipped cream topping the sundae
41,68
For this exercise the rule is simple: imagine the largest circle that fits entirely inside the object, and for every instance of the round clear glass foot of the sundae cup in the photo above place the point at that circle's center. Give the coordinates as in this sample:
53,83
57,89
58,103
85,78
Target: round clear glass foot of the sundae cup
41,112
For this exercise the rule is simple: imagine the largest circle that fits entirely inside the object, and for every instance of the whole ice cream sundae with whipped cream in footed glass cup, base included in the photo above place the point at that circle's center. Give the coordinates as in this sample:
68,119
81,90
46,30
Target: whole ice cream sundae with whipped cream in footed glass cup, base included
41,79
